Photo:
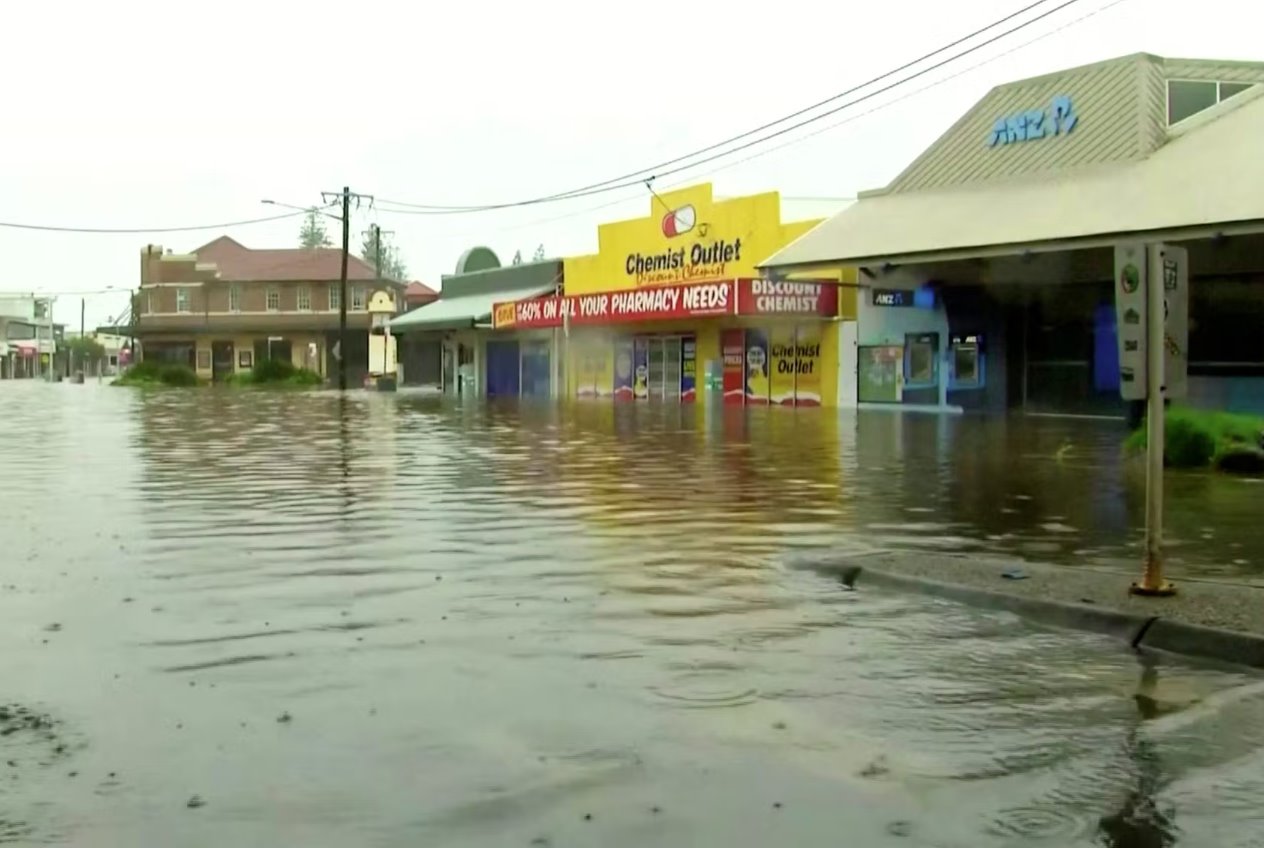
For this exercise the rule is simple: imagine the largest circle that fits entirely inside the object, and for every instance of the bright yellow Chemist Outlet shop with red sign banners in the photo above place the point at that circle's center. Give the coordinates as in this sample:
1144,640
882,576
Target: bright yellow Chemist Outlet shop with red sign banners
672,308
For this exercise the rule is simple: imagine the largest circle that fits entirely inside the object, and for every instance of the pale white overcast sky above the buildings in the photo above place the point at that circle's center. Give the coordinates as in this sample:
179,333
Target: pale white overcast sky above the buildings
138,114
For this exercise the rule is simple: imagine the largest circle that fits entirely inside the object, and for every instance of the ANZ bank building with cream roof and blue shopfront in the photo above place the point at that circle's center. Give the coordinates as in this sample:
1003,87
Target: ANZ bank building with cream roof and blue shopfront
988,267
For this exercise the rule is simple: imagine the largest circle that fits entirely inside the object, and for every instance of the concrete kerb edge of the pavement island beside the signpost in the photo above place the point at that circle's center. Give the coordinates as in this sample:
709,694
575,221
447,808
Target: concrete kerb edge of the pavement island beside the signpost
1138,631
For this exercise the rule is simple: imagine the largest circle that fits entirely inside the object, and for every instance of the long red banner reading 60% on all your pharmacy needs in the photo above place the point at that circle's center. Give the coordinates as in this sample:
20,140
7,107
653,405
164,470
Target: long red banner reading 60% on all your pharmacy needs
650,304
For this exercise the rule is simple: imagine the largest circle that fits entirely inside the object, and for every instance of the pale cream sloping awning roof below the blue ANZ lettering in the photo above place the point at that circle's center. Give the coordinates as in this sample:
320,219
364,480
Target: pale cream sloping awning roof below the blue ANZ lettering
1203,181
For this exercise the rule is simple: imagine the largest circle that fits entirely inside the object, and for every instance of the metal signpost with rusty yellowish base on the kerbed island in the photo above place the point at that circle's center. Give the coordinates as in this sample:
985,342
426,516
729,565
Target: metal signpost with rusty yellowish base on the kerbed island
1152,583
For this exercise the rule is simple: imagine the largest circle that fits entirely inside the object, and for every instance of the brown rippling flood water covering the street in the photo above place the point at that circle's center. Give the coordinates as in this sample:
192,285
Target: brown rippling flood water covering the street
233,619
